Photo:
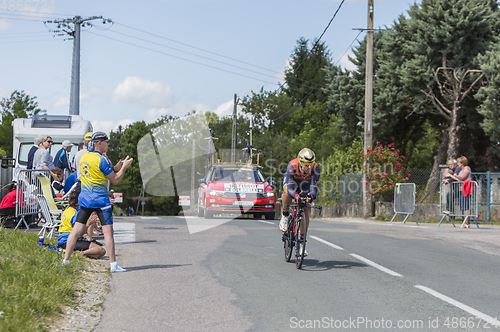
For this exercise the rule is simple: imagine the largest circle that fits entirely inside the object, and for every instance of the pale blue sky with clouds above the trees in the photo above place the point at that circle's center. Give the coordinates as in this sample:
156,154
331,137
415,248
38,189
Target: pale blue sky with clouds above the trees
158,57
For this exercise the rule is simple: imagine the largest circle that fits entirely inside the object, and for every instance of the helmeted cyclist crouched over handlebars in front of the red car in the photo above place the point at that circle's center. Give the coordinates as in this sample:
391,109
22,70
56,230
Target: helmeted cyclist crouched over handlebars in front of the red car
300,180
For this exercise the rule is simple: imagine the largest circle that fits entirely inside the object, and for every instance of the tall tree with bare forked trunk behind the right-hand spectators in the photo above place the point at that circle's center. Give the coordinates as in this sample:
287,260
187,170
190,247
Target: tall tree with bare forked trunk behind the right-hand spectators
447,38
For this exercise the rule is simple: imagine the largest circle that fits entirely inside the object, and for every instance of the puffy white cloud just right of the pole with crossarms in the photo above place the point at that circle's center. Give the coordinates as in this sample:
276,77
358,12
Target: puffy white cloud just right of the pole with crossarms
138,90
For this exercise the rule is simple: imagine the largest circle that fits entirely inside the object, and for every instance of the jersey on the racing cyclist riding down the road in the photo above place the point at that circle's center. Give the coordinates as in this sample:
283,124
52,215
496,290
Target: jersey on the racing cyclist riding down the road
297,181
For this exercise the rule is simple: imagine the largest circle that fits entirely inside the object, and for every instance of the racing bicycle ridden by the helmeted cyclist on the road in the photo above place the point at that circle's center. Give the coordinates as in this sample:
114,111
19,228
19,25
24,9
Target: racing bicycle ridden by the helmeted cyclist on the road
291,237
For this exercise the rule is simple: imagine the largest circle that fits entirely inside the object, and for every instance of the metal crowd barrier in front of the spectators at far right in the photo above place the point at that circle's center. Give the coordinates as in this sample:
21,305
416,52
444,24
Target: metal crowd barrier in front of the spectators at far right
452,202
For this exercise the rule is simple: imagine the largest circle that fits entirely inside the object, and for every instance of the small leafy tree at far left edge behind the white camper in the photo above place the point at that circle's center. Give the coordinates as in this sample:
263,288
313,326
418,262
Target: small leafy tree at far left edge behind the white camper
19,105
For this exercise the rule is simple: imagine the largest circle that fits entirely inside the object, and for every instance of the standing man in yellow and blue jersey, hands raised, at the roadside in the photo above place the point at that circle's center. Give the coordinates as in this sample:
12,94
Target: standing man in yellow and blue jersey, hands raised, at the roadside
94,196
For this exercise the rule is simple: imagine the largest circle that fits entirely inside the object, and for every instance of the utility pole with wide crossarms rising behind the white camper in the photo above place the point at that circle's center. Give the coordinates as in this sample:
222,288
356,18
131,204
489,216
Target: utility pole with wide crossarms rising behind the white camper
72,27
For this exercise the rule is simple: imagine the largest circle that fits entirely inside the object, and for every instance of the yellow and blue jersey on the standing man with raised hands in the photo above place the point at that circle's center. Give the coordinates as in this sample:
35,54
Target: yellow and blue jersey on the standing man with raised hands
93,170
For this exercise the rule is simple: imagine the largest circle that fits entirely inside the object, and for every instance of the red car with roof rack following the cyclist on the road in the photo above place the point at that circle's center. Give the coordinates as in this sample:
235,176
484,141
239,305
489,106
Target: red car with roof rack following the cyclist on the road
236,189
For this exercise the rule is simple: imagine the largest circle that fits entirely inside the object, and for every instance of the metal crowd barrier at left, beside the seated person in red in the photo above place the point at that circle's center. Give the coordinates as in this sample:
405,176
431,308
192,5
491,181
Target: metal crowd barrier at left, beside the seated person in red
28,187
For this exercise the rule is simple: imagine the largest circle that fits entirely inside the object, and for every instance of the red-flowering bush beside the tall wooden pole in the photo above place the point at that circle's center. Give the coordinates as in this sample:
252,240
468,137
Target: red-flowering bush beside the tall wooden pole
384,168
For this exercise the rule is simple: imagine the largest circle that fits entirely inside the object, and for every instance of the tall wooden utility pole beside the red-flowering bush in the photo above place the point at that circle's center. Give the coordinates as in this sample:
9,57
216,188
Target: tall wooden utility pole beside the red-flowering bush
367,197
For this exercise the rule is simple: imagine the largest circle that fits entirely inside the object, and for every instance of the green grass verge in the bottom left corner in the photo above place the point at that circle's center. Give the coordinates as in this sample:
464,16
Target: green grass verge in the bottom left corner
34,285
